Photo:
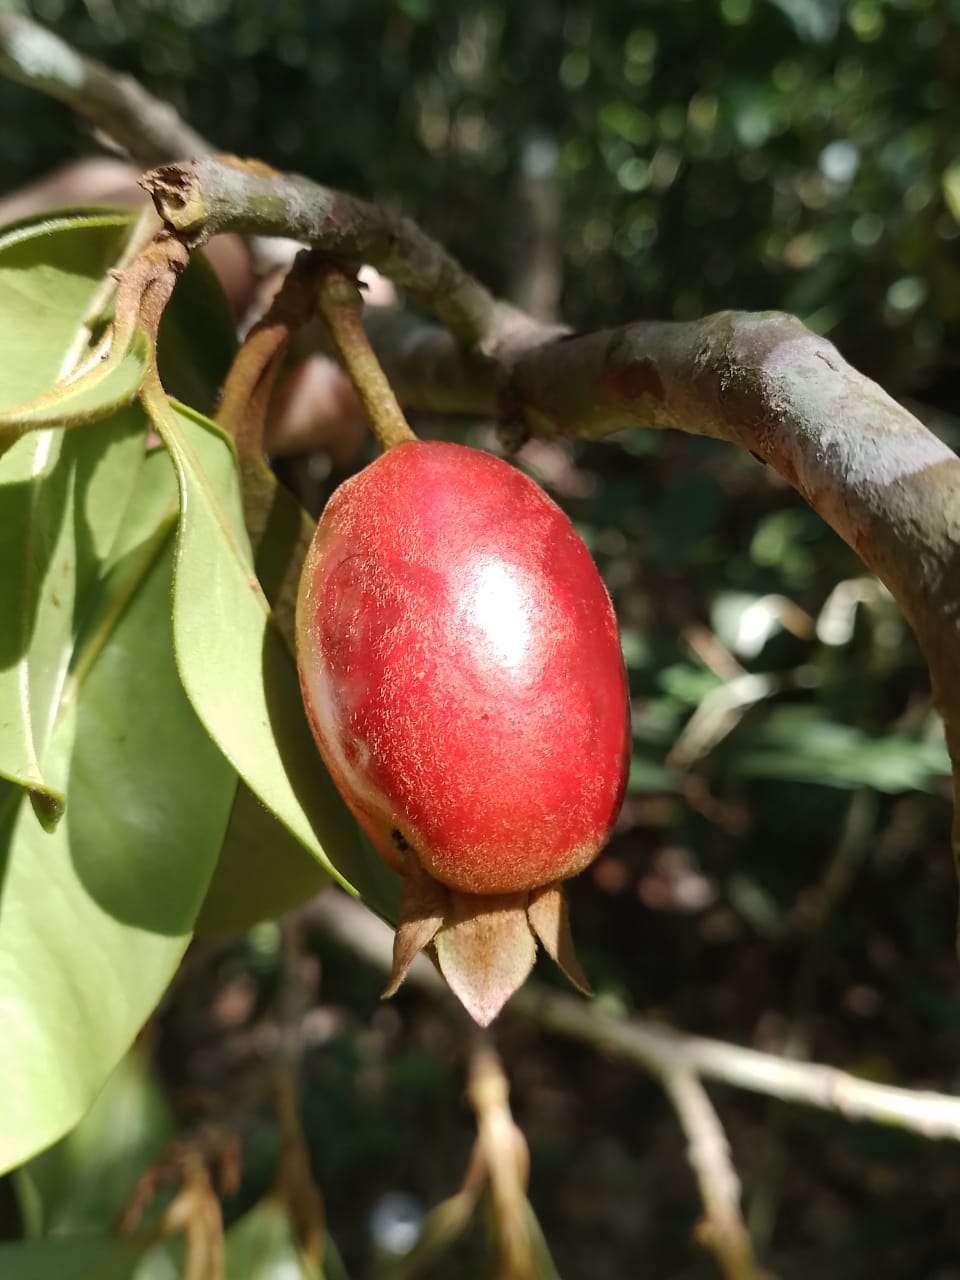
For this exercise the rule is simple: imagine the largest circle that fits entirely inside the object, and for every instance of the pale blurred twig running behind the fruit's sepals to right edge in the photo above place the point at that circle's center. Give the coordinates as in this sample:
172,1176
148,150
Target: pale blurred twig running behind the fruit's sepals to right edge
661,1049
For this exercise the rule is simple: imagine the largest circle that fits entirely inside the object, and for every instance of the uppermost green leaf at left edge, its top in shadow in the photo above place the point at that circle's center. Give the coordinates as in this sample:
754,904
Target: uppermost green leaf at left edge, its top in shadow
52,275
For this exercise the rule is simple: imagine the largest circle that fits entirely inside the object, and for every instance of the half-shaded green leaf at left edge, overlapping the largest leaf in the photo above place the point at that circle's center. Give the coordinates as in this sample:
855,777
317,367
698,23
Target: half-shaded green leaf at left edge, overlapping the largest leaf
62,496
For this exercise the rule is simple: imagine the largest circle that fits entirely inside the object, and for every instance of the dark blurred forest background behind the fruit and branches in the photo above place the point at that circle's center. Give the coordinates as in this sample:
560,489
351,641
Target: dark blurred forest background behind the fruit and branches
792,888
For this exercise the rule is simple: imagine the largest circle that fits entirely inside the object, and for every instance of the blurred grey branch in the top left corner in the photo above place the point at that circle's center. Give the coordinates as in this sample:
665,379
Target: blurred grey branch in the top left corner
149,130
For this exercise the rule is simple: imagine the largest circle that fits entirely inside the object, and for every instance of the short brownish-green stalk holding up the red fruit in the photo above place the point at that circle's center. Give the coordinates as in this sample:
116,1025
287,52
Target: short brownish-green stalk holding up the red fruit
342,307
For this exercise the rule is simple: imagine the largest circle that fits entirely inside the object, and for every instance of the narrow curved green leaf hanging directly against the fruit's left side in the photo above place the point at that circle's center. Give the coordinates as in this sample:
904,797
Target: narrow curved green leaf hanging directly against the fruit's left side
237,671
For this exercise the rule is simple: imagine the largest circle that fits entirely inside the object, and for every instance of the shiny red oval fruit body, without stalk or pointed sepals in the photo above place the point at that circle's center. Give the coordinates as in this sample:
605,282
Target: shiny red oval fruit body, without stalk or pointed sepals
463,674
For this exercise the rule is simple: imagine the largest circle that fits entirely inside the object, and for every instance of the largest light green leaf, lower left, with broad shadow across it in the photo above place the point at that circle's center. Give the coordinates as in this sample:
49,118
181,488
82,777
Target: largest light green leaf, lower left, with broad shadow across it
95,917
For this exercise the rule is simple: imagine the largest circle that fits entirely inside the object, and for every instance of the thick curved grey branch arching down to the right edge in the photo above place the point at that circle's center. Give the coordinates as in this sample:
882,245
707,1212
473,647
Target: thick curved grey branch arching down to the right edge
877,476
